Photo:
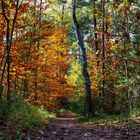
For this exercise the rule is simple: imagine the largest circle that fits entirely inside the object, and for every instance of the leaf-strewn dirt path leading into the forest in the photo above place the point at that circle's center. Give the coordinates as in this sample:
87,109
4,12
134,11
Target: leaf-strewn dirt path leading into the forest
64,127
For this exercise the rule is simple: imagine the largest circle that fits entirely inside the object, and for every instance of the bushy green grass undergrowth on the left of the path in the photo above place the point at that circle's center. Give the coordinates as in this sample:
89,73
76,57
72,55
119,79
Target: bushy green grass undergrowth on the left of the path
26,115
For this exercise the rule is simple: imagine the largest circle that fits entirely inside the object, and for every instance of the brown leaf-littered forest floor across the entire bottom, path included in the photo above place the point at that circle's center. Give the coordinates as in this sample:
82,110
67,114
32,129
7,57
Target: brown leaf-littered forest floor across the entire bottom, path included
68,127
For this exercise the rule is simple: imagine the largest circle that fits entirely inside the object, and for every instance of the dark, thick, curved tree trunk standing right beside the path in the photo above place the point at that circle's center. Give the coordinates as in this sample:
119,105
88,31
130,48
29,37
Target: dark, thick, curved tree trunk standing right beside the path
90,108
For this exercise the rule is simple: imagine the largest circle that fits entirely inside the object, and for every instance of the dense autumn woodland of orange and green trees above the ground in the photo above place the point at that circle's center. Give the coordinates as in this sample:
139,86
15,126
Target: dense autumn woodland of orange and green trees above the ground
81,56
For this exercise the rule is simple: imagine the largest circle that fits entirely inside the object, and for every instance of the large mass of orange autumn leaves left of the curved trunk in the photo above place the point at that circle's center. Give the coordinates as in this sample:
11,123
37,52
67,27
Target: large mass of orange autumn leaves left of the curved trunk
39,58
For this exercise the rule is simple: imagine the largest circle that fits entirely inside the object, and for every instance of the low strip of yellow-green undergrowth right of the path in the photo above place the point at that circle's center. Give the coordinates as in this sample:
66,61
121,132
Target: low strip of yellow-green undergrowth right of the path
110,119
